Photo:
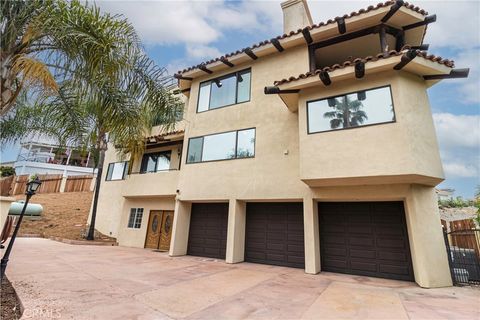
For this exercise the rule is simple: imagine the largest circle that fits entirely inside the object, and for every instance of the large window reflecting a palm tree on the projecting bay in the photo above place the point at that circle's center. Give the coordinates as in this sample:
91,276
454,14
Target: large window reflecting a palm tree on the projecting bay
351,110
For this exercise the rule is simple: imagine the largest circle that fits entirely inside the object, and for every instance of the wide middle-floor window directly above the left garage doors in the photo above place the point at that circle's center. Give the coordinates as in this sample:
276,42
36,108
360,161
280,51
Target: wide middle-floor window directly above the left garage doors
222,146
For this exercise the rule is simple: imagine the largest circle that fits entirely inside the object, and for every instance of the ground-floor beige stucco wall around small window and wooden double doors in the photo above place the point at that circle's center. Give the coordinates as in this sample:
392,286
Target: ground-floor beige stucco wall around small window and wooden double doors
131,237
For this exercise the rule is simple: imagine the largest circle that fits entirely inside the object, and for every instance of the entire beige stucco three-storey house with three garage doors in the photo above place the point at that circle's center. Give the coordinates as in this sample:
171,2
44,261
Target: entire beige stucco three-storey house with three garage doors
315,149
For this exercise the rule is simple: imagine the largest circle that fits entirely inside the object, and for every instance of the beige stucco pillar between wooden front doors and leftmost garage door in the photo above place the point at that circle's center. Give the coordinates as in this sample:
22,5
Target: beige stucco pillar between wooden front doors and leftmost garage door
181,225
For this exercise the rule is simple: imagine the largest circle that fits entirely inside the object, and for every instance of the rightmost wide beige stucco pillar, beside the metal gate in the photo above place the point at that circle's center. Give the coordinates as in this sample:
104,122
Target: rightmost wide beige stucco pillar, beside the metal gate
429,255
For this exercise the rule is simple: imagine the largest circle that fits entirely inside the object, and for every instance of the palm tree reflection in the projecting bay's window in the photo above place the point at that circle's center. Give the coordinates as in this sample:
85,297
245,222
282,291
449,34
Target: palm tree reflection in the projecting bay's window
346,113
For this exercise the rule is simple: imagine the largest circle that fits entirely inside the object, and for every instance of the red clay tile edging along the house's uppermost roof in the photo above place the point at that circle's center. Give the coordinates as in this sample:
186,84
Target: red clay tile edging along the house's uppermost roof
314,26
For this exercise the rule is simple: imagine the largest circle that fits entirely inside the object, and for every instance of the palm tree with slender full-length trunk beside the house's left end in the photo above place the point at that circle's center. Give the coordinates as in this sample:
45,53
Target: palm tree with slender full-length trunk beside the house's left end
109,91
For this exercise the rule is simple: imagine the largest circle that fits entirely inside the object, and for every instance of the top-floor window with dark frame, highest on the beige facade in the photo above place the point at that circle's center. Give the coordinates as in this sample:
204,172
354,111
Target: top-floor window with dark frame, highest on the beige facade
224,91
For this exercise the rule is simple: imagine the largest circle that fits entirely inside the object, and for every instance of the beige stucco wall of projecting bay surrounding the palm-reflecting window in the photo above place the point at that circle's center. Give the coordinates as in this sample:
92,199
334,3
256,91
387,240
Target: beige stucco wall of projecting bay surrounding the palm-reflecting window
403,151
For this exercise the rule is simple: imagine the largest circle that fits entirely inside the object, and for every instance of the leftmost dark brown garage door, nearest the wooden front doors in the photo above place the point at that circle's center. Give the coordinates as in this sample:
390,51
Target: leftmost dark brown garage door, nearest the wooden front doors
208,230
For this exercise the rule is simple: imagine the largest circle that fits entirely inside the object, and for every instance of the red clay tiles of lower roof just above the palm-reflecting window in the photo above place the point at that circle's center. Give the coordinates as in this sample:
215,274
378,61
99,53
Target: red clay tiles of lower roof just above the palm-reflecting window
348,63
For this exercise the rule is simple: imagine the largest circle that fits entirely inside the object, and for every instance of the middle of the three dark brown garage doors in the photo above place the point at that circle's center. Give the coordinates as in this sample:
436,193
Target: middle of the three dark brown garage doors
274,234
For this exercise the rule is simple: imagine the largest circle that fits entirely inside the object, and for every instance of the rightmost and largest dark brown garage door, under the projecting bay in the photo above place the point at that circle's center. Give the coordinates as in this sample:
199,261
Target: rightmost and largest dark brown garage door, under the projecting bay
365,238
